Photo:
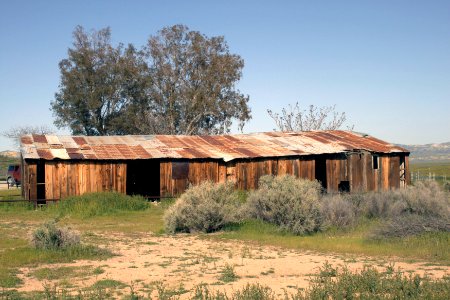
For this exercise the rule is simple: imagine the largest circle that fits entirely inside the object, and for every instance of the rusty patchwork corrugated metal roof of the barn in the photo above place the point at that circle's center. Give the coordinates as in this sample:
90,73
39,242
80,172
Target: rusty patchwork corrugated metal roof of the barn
226,147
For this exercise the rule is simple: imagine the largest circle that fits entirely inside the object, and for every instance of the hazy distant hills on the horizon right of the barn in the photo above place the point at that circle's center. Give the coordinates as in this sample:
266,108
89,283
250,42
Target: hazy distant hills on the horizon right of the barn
429,152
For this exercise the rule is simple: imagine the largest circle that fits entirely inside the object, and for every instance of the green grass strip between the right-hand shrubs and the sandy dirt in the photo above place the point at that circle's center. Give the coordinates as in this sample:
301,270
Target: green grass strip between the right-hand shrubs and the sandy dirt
430,246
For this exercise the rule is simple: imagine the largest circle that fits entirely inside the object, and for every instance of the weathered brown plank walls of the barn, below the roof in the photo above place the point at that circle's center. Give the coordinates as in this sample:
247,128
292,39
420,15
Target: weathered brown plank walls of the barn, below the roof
65,178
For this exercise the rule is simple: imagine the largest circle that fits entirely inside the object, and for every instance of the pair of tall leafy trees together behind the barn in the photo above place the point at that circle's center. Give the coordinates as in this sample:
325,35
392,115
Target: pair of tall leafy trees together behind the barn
180,82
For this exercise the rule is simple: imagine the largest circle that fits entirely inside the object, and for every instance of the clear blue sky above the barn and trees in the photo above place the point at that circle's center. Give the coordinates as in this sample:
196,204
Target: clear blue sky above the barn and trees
385,63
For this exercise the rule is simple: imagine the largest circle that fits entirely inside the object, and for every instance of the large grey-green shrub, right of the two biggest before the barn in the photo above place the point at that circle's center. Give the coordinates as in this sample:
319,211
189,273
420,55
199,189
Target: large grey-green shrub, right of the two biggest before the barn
291,203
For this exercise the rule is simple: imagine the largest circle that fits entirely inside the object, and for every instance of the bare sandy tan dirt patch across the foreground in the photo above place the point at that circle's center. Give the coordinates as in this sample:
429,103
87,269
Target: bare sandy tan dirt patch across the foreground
184,261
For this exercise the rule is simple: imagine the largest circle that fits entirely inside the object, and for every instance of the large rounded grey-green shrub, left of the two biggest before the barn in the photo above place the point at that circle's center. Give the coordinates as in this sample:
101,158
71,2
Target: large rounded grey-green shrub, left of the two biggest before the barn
206,207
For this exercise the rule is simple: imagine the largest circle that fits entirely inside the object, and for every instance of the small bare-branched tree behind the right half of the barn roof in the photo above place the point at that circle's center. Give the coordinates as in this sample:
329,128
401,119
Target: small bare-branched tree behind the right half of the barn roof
294,118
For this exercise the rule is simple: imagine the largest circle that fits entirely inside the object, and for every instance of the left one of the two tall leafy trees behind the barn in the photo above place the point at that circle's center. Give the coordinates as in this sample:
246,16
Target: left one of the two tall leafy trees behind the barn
91,98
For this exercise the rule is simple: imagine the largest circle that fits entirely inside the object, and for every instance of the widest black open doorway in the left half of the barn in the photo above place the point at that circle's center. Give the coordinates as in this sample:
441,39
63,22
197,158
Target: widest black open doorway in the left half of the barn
143,178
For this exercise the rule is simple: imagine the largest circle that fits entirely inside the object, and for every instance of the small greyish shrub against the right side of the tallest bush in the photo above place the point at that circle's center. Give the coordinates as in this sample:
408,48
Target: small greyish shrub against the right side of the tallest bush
338,211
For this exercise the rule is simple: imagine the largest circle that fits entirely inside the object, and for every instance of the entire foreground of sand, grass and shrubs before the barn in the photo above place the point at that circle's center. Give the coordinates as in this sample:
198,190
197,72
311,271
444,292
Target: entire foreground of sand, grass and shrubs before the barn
122,251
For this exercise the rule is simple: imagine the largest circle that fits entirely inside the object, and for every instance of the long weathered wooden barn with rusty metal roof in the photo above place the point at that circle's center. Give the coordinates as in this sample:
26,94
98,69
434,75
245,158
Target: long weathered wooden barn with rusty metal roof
162,165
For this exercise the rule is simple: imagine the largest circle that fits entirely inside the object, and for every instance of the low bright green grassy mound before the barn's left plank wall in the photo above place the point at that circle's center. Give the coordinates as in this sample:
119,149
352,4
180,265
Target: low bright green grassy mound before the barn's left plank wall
97,204
